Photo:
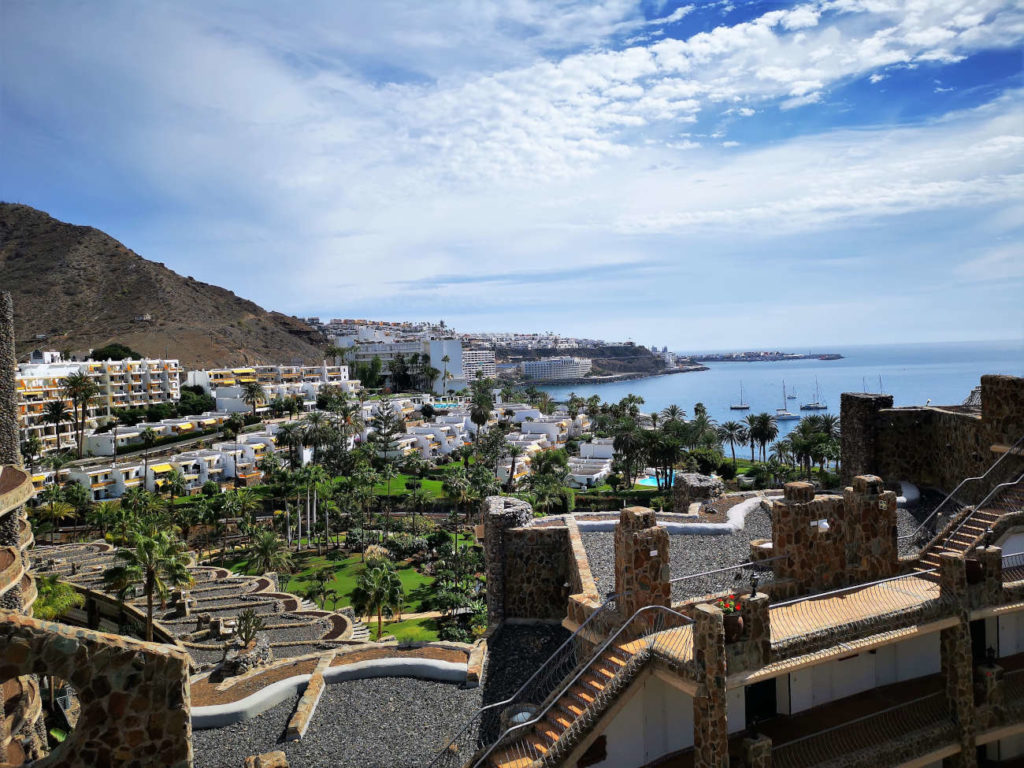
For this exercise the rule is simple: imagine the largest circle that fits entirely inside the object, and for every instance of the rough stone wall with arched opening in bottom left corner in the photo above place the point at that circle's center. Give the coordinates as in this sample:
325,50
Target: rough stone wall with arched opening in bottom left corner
135,696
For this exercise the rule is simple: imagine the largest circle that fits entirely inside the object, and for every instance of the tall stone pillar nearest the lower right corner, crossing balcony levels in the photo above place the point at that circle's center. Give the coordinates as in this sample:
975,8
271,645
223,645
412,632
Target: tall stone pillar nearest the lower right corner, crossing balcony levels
955,645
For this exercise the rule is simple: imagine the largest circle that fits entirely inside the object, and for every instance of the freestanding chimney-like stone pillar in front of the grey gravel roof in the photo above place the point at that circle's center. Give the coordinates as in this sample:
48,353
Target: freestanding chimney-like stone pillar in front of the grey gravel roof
642,562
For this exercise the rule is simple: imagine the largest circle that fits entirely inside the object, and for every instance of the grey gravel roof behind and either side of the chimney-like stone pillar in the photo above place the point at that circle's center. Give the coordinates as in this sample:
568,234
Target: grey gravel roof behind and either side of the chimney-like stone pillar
690,554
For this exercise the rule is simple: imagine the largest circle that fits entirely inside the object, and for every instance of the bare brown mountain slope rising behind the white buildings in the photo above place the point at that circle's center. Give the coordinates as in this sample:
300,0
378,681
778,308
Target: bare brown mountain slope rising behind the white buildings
76,288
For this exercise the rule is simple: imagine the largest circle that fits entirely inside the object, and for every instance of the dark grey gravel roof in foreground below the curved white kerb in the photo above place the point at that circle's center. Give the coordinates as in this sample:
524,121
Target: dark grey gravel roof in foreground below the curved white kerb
378,723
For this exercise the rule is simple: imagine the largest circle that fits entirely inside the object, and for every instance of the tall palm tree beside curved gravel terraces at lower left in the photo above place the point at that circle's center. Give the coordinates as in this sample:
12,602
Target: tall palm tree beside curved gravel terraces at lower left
159,563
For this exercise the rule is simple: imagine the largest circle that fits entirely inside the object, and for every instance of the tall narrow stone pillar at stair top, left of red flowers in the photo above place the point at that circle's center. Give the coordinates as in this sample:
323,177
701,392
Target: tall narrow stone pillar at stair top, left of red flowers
711,731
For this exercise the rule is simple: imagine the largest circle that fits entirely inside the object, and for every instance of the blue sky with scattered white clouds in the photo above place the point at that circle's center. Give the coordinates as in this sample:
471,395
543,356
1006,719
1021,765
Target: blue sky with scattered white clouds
701,176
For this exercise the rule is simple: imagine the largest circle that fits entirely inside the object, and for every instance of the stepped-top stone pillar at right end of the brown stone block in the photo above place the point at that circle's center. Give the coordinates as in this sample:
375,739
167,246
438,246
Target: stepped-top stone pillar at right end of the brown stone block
870,530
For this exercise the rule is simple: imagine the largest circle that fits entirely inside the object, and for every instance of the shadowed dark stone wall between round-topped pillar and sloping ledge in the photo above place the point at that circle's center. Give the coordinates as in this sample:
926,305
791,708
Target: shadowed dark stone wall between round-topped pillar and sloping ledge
537,573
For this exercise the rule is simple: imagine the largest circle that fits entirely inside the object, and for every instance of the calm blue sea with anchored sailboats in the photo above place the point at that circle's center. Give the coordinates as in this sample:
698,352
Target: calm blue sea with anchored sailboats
913,374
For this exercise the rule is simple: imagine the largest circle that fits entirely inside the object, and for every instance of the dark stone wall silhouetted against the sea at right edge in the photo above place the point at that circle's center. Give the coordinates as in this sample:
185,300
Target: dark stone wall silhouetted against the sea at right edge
931,446
